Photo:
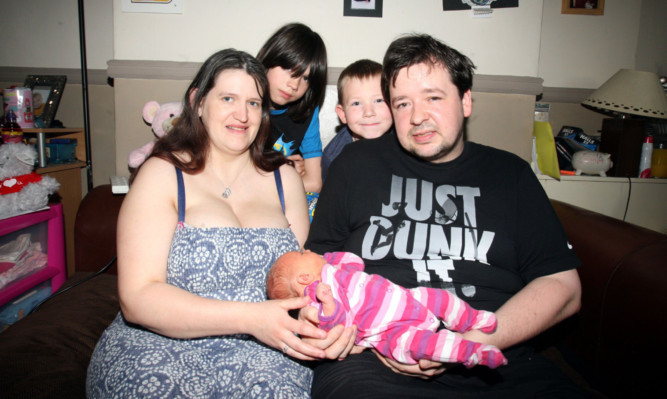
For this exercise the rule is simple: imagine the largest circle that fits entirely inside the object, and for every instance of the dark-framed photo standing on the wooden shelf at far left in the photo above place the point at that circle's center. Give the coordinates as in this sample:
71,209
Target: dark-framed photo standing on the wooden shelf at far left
46,93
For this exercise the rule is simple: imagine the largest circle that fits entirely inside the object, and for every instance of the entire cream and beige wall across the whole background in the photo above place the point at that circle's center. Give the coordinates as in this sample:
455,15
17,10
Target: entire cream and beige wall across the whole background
534,40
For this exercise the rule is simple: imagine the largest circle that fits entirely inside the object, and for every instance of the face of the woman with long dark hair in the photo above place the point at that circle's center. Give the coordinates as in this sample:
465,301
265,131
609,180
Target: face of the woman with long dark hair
232,111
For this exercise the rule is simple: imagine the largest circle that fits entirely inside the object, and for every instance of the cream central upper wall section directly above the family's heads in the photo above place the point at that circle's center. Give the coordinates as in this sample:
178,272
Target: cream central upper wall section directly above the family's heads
506,44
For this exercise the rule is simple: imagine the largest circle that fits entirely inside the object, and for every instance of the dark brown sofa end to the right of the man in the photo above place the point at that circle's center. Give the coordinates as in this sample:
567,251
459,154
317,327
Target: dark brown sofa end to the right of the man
621,324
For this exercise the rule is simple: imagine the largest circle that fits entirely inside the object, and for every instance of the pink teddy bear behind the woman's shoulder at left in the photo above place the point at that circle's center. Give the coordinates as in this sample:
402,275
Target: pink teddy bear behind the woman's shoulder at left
161,118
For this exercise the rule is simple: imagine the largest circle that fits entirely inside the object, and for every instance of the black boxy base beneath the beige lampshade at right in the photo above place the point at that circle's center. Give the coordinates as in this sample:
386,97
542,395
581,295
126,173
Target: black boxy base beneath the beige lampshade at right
622,138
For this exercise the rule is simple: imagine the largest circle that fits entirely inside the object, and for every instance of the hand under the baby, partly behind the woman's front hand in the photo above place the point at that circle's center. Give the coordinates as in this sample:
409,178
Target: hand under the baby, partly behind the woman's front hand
339,341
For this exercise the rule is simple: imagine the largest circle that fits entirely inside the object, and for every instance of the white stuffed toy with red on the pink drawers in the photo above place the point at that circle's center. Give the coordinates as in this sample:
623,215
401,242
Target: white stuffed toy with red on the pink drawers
21,189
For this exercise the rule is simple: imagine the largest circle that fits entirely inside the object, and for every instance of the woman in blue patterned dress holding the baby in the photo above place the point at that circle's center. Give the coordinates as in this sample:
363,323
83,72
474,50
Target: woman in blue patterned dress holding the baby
199,229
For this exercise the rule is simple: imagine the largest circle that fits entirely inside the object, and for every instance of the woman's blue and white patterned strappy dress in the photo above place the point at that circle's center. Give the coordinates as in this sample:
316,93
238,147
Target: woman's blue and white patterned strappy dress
223,263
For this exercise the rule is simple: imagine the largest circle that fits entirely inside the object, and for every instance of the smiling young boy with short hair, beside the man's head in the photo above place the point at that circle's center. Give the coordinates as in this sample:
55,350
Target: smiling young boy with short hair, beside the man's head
361,108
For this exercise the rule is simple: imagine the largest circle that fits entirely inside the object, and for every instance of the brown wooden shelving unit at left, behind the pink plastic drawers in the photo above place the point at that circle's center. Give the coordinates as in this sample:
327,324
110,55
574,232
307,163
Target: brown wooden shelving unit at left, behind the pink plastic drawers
69,177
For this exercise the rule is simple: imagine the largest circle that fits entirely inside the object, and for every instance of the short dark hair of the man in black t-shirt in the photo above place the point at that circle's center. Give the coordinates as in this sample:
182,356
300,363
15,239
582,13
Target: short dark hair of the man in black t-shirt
416,49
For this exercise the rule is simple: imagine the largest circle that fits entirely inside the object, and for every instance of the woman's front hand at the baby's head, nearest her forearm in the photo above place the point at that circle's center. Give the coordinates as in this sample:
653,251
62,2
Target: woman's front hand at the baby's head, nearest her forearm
274,326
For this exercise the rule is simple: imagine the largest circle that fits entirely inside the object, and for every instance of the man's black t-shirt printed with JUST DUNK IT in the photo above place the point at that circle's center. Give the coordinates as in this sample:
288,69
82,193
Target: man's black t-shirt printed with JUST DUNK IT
480,226
